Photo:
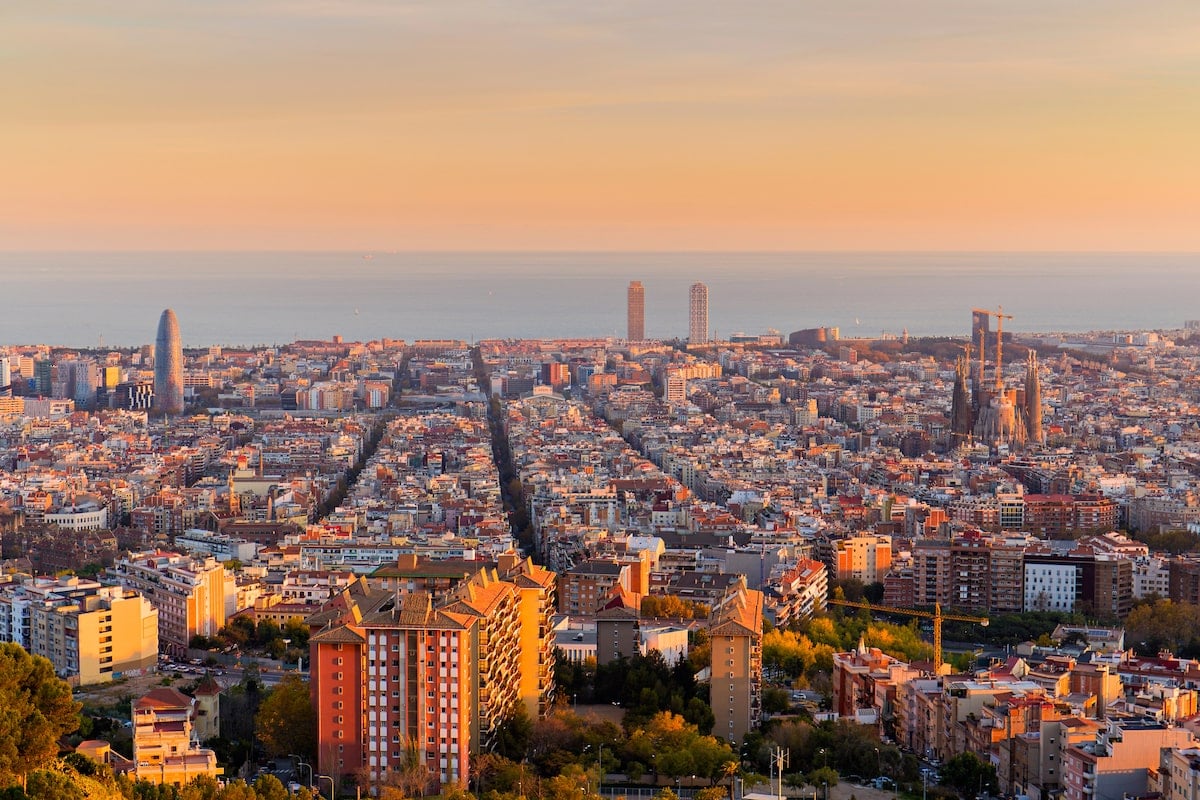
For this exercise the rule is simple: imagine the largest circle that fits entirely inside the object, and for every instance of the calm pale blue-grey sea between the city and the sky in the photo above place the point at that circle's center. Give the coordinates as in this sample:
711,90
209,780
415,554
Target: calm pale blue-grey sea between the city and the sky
110,299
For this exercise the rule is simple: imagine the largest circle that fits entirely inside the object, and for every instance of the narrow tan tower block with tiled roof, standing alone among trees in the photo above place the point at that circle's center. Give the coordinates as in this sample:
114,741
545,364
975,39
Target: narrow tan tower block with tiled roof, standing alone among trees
735,631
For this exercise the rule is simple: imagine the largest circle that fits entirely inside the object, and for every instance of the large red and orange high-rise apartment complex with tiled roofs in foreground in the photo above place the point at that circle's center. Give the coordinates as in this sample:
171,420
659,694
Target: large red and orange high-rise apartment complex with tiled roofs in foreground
425,660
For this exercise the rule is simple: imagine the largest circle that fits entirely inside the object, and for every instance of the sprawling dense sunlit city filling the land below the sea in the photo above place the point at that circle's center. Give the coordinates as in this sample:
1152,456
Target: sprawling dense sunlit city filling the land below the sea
969,556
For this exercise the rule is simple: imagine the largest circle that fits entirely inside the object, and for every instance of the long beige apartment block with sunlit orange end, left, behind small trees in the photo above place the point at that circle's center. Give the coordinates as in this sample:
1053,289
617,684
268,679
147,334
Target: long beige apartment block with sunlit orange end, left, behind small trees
194,597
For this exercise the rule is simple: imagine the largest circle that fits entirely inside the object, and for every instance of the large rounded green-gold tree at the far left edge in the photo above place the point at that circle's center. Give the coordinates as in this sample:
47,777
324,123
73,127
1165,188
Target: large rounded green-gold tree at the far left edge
38,712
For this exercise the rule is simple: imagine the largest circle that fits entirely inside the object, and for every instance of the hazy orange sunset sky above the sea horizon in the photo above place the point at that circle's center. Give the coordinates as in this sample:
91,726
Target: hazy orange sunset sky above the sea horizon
601,125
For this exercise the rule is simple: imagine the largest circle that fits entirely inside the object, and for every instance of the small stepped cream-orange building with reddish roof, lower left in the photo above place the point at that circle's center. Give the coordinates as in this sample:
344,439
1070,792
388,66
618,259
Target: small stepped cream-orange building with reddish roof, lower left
166,748
